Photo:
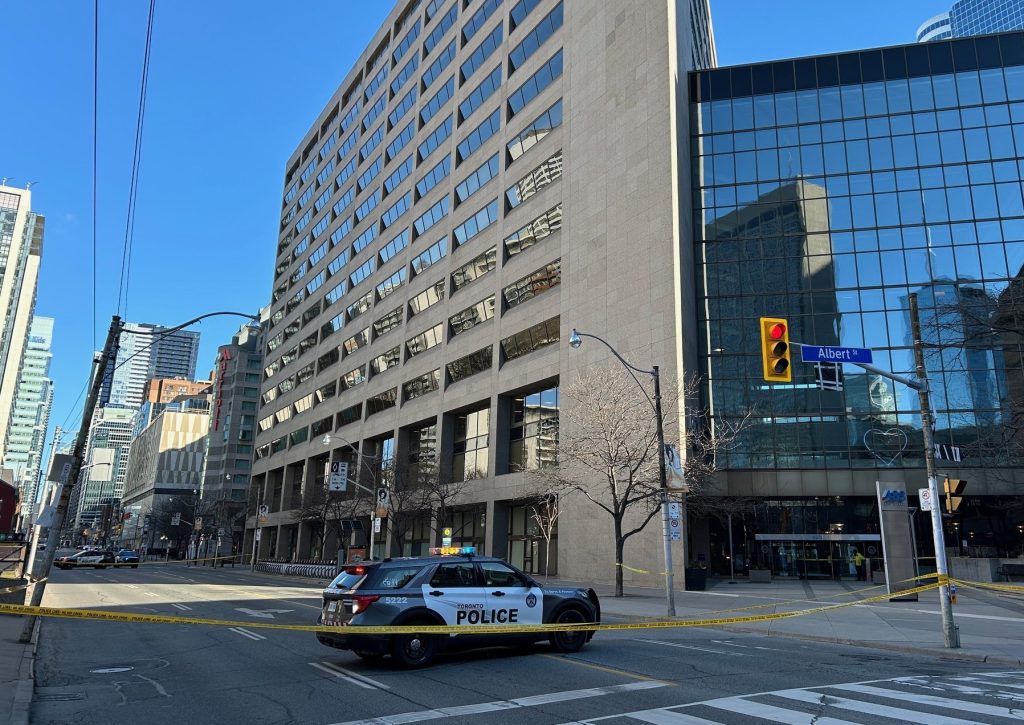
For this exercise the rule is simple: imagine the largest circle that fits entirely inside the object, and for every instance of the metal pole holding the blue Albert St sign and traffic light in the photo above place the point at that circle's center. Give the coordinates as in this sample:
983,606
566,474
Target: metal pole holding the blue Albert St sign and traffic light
943,570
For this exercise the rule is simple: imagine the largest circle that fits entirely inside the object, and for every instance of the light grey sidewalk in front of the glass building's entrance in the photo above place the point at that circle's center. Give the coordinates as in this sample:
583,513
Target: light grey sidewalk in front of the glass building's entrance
991,624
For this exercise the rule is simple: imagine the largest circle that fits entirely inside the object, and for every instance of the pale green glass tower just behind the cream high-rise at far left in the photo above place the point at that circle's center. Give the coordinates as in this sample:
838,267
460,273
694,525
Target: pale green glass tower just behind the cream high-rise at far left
33,401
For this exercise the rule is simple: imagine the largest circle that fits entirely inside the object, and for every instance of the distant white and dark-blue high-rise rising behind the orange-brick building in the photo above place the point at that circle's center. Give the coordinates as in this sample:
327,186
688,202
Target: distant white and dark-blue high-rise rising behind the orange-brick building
144,354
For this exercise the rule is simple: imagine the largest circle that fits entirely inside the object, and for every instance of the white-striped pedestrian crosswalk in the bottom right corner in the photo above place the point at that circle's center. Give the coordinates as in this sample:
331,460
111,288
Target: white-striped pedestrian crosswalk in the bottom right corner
964,700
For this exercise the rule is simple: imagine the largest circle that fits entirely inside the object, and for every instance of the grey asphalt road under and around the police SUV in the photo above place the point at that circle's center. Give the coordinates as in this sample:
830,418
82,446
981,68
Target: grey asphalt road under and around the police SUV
99,672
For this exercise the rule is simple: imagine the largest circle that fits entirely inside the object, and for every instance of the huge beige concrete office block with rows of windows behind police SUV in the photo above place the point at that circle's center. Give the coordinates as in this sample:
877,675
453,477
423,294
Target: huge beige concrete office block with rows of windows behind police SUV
487,178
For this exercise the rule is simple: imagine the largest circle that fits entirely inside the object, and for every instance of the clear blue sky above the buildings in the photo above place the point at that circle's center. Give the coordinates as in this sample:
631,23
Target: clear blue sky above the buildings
234,84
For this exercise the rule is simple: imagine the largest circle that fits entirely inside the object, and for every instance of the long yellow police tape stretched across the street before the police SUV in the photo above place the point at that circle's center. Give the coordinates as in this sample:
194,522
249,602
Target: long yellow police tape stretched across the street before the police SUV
442,629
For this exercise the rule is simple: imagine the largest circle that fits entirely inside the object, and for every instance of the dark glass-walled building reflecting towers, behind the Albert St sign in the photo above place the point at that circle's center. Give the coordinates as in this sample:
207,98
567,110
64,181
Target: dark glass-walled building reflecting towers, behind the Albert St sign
827,191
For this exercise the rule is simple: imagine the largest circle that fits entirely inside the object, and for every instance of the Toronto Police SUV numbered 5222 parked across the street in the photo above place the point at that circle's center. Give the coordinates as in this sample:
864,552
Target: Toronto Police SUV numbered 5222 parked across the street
453,586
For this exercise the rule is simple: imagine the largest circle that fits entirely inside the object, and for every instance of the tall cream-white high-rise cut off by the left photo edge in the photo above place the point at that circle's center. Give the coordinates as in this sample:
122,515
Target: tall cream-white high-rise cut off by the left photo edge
21,254
